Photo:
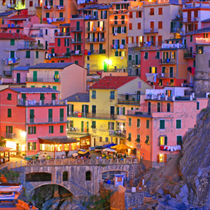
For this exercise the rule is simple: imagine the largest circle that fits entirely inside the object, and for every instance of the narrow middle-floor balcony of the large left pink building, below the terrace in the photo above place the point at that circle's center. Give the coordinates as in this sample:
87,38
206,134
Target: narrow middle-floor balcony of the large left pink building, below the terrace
46,120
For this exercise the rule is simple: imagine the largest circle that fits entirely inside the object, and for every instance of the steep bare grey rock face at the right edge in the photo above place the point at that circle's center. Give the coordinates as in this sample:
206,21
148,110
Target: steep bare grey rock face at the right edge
194,164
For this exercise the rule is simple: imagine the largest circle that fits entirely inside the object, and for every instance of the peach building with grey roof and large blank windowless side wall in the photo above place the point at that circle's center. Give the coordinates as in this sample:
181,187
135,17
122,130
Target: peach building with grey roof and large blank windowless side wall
68,78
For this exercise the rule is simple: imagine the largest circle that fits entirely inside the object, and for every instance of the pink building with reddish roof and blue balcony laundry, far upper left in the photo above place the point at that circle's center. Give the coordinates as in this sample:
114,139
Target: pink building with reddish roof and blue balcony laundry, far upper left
19,23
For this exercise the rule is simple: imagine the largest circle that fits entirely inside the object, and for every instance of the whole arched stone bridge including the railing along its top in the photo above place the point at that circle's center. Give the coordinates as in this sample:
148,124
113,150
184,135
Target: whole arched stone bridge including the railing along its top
80,177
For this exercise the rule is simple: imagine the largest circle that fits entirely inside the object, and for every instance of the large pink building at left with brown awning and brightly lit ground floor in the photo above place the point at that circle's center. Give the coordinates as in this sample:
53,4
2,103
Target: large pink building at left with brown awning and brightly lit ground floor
33,120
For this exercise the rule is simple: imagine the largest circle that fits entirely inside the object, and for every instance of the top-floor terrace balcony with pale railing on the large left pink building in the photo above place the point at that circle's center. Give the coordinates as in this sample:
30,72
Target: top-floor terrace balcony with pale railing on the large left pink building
33,102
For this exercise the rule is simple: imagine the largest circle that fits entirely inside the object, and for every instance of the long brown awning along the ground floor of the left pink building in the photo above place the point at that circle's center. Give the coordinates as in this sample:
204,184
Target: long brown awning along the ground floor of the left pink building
64,140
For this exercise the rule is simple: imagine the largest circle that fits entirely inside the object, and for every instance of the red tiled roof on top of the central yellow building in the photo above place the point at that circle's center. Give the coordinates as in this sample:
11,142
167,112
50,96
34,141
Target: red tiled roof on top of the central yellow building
111,82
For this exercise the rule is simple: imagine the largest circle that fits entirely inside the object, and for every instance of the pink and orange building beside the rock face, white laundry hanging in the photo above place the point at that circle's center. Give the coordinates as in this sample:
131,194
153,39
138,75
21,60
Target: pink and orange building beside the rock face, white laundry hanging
157,129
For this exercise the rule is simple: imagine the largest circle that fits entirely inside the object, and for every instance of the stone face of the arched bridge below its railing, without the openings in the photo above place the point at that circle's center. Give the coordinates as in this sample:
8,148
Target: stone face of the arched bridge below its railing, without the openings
77,183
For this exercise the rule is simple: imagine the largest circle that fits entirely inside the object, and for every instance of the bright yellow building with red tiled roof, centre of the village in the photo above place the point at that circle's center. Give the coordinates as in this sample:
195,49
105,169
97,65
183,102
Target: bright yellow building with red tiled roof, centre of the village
99,117
